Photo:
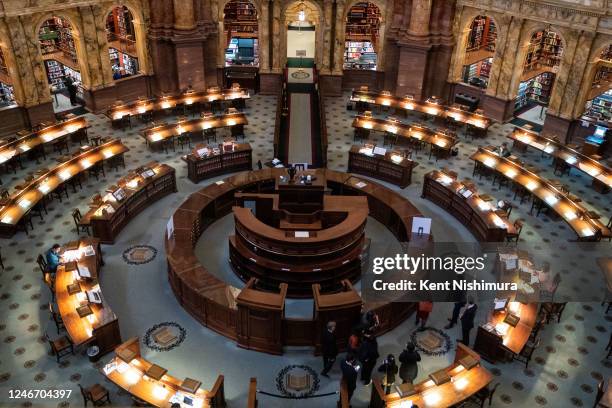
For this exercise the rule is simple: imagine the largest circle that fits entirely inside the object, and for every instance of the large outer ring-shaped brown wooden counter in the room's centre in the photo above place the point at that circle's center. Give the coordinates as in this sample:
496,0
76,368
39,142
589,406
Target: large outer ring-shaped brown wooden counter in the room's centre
255,317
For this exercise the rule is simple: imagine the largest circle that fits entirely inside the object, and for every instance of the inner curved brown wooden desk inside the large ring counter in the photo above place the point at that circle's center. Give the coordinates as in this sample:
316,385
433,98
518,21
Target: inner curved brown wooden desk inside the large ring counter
300,255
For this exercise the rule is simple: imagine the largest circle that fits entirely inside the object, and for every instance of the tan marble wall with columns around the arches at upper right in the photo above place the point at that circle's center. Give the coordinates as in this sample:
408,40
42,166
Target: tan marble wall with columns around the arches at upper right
584,27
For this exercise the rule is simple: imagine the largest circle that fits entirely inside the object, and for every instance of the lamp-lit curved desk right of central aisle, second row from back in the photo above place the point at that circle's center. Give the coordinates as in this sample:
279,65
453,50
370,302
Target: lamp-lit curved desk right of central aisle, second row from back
437,139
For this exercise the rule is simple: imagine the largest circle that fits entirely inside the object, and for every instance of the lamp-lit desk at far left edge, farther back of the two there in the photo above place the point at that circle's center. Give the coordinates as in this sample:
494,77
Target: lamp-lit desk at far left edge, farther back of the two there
38,139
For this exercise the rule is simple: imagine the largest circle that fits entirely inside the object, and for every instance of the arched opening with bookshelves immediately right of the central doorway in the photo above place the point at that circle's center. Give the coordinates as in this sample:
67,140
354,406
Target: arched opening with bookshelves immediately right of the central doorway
363,22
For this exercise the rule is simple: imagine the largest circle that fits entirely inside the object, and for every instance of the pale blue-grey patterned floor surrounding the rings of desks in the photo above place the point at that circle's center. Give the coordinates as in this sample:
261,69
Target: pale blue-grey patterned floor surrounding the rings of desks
563,373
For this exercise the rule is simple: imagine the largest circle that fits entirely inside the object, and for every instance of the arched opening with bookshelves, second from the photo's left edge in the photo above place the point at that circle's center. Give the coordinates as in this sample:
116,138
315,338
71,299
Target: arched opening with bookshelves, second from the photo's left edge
58,49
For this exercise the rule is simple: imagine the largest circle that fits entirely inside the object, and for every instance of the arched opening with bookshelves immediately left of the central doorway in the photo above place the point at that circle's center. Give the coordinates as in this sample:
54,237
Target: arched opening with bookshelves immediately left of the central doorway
240,30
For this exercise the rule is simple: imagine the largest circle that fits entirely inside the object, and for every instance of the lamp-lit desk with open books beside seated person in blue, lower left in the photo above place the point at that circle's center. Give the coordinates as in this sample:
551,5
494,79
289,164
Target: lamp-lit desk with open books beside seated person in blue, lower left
87,318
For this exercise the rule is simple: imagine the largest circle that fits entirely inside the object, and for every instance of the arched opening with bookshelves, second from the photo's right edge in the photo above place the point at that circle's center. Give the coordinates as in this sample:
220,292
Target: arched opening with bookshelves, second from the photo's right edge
539,71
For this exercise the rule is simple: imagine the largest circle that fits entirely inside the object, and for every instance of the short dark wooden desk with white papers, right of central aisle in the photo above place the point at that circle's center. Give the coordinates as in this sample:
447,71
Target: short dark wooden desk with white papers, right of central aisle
390,166
